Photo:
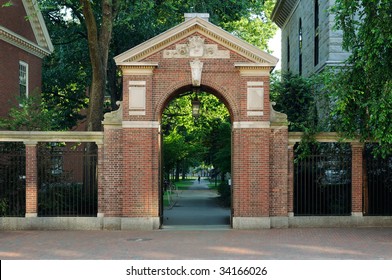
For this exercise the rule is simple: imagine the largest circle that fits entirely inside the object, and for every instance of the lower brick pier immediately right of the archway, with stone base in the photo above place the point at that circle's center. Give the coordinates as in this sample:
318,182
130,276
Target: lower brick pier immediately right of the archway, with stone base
250,177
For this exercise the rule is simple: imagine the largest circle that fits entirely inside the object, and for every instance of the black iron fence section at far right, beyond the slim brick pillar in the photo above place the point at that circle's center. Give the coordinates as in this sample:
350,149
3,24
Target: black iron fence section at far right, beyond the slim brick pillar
377,184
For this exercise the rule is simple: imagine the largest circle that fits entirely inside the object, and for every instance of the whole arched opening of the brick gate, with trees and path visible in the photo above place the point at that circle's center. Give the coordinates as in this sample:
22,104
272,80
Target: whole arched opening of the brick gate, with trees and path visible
195,160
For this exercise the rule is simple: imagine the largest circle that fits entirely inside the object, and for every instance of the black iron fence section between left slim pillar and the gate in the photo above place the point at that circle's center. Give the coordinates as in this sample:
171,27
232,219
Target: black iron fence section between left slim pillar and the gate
67,180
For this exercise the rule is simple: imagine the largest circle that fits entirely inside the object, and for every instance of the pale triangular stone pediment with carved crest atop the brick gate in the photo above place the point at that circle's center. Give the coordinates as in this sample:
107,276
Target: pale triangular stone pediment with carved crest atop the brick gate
195,45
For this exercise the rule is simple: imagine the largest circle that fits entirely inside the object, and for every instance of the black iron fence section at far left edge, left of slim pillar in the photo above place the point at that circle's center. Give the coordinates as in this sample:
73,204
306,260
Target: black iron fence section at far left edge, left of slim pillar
12,180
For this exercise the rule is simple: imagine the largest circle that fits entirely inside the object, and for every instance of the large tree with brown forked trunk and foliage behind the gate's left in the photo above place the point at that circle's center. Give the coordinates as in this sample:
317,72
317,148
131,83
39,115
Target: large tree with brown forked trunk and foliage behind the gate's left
103,29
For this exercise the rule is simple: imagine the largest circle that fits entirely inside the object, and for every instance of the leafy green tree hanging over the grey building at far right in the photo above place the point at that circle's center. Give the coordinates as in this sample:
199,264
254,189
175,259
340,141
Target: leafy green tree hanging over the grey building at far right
362,91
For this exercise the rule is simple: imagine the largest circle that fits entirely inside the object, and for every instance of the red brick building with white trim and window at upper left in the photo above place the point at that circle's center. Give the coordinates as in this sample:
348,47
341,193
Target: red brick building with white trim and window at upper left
24,42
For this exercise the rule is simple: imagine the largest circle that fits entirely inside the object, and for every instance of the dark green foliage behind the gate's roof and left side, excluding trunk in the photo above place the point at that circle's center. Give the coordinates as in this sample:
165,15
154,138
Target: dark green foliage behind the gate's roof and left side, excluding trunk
67,73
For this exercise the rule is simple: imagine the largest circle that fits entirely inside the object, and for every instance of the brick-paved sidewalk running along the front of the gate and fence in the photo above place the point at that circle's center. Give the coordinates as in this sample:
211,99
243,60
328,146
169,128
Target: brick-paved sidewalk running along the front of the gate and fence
271,244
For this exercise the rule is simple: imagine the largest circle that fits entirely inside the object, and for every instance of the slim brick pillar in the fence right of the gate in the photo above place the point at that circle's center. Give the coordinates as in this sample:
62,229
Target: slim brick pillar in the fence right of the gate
357,178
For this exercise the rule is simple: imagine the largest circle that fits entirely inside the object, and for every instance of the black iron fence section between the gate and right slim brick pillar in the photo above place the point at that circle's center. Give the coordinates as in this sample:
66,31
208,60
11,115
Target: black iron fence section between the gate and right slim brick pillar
322,181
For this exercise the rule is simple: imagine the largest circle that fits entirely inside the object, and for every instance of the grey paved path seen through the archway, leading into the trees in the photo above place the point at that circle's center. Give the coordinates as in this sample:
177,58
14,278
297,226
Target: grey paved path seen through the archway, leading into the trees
197,207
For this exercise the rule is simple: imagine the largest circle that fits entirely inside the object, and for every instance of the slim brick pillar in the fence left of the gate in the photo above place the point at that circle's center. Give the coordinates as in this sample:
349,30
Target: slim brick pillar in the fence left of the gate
31,179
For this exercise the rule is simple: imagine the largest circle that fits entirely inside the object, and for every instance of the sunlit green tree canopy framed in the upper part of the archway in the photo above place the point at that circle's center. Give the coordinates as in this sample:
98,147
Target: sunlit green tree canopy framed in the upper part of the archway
189,141
